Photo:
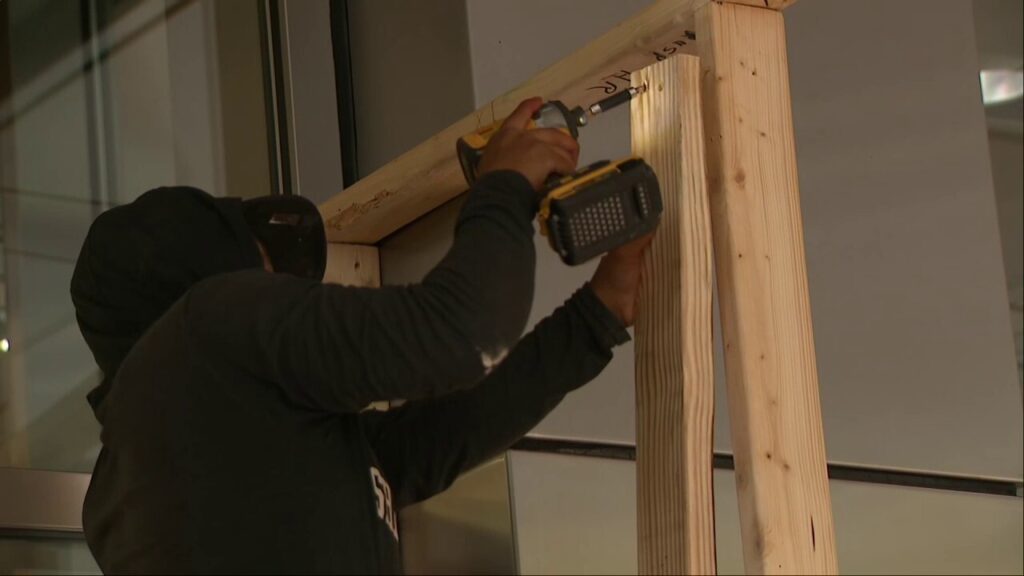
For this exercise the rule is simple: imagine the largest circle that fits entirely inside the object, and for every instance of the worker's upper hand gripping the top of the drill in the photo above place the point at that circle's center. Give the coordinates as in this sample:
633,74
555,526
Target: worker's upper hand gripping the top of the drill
535,154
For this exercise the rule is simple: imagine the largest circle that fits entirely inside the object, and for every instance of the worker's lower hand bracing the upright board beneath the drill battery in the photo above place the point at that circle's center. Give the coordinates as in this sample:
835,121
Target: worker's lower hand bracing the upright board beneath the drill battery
618,279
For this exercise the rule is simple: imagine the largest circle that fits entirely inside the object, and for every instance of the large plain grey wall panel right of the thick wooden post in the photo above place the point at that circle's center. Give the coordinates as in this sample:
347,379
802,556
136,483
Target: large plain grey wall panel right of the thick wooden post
903,241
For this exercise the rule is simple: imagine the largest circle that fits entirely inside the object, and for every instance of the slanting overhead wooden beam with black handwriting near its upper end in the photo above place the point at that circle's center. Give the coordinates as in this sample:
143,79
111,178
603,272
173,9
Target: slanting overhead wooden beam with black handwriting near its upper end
429,176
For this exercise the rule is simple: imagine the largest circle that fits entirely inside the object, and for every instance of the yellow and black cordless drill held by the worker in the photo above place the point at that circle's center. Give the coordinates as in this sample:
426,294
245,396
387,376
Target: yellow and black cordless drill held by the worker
596,210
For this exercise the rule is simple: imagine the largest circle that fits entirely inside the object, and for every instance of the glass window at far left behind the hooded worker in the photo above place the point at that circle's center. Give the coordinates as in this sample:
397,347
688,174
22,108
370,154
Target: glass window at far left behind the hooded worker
100,102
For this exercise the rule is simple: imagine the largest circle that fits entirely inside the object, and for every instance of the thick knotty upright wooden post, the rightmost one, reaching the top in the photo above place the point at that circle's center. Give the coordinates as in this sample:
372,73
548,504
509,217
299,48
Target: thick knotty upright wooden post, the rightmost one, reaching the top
776,415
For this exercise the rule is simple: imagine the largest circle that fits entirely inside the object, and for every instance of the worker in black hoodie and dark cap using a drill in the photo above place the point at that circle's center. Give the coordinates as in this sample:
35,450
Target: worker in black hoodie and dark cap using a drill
234,431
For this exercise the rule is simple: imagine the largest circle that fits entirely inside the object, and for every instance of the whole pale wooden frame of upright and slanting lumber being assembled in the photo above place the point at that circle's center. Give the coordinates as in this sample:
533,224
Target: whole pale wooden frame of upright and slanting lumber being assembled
775,408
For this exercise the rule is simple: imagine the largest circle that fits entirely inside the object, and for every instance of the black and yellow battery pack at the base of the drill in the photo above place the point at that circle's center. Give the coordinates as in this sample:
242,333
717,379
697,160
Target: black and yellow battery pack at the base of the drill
600,209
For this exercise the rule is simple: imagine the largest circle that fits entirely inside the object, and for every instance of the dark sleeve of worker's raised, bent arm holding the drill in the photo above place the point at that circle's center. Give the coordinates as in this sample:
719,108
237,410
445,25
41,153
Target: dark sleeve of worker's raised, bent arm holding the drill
339,349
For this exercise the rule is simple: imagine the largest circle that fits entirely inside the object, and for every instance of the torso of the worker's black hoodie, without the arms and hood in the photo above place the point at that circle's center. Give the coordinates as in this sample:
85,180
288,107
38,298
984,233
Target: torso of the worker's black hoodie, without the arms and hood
206,469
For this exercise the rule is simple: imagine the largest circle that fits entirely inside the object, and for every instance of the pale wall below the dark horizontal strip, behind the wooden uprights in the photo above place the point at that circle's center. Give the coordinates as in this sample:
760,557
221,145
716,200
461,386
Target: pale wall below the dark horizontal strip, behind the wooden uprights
577,516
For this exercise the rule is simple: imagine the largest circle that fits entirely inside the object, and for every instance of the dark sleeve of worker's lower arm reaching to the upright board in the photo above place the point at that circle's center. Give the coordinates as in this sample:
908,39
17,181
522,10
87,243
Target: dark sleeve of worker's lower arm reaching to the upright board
425,445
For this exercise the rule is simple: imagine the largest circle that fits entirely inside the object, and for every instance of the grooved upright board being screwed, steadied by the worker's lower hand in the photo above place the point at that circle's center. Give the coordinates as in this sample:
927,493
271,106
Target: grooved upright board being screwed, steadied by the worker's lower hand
675,376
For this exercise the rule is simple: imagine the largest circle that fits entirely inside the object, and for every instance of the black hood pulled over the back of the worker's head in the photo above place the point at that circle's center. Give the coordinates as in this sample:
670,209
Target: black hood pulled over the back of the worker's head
140,259
